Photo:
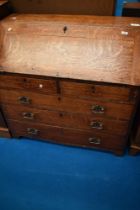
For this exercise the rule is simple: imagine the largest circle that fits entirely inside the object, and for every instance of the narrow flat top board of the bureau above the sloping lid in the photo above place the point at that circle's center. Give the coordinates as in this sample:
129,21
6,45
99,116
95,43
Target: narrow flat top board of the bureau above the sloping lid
74,19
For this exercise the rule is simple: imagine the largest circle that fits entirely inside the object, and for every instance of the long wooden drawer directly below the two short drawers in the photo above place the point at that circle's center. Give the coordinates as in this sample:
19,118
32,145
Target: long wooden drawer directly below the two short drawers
95,108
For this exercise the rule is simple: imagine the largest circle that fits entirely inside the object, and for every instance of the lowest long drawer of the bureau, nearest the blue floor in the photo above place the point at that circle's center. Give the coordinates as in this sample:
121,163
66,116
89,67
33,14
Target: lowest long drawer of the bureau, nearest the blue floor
66,136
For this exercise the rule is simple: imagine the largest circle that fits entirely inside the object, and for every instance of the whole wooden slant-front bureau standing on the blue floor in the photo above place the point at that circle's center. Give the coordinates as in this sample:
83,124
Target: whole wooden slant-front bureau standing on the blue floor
70,79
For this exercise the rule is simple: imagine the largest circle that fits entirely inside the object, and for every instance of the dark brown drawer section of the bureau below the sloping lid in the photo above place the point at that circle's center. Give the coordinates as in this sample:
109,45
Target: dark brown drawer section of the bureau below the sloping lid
62,110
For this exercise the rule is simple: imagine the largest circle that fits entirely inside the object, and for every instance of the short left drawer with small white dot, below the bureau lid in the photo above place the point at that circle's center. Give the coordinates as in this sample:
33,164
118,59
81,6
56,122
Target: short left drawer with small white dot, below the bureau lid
47,86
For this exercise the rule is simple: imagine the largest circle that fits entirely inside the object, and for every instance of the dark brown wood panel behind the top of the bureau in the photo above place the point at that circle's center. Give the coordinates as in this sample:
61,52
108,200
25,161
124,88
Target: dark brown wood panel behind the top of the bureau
84,7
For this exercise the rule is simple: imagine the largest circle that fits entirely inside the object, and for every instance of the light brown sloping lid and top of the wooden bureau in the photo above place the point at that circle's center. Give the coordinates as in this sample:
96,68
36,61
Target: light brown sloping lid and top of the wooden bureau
104,49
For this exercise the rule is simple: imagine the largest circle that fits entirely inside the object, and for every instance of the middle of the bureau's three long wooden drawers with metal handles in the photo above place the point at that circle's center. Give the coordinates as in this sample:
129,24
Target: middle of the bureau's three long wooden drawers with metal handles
65,119
